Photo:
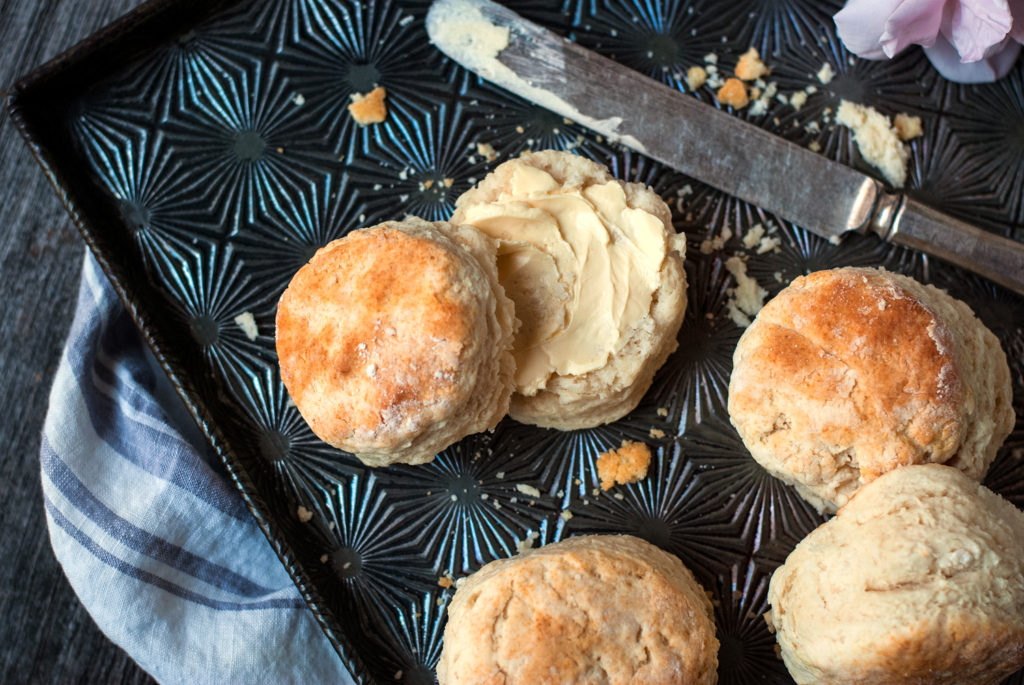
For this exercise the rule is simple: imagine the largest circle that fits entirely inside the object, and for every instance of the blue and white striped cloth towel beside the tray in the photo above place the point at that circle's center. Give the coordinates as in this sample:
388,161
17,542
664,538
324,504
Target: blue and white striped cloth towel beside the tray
154,539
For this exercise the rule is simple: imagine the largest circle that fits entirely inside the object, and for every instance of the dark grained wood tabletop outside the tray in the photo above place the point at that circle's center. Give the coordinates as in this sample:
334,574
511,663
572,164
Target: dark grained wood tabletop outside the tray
46,634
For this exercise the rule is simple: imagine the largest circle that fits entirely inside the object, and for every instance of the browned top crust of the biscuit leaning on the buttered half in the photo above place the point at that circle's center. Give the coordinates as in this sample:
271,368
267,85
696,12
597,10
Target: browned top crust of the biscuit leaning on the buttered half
370,333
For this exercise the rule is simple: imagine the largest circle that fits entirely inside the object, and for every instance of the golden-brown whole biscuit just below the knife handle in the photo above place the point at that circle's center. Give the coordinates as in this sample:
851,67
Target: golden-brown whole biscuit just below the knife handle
850,373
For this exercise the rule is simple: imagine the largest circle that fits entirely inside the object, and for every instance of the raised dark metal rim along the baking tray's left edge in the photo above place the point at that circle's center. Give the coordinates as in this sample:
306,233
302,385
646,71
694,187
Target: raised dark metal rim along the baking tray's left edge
20,97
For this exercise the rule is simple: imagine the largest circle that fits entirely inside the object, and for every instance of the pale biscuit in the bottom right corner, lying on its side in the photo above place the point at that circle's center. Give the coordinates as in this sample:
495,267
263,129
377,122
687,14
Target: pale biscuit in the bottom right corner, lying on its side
918,580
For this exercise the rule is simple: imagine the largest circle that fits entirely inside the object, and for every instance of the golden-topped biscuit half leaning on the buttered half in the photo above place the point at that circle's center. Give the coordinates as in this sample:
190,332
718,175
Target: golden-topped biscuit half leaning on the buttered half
396,341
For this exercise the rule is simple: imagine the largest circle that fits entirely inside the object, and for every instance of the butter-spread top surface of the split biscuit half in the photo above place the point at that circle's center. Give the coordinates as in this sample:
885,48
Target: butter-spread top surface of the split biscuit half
579,258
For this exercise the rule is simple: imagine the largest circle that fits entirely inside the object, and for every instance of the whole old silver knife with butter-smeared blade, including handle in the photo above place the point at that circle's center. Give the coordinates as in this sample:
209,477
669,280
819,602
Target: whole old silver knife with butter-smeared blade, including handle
709,145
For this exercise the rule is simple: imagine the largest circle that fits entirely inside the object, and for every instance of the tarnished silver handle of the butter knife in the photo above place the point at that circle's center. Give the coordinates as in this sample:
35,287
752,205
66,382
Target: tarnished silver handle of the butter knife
916,226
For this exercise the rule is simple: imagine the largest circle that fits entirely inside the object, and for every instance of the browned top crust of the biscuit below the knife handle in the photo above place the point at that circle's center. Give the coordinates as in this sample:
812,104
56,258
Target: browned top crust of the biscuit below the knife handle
849,361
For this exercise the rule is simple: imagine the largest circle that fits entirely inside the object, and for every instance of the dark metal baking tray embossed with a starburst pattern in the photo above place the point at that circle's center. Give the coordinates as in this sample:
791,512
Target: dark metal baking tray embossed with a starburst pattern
205,152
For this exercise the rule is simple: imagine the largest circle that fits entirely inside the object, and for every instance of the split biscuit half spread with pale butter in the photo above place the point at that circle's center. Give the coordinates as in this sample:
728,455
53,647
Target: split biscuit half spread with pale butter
596,274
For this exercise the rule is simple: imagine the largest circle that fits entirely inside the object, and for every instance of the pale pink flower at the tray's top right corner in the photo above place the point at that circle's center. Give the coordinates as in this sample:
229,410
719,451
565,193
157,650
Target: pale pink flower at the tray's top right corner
970,41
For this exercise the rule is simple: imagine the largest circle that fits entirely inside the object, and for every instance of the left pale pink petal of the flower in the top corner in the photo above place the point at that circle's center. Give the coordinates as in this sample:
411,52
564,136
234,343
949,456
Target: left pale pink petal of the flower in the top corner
880,29
